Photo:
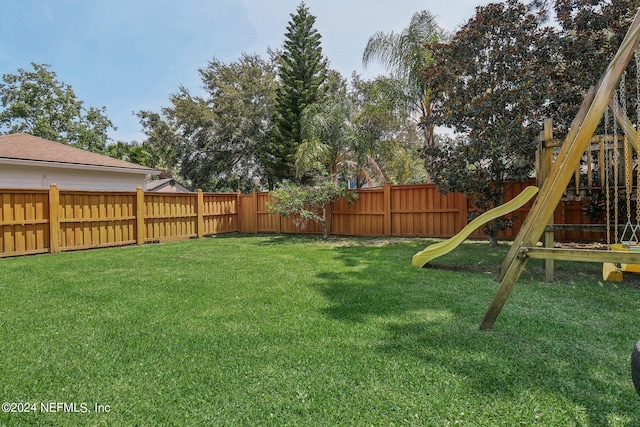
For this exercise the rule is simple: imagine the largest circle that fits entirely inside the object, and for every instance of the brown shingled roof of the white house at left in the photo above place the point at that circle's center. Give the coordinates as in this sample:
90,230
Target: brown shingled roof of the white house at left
22,147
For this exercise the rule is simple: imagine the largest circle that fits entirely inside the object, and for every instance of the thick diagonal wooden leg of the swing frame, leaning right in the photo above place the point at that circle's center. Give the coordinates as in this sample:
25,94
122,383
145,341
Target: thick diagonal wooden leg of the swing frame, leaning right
551,192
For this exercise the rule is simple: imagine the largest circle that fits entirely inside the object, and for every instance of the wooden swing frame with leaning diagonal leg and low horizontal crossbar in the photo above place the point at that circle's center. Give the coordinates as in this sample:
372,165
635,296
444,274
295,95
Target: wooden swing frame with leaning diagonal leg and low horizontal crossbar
568,159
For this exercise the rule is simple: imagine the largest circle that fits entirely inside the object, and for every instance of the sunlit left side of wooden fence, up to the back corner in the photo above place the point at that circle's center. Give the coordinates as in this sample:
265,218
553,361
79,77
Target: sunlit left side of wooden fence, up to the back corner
43,221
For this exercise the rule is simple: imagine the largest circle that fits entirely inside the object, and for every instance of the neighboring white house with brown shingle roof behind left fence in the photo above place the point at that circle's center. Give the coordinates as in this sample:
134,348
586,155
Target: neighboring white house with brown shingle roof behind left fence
27,161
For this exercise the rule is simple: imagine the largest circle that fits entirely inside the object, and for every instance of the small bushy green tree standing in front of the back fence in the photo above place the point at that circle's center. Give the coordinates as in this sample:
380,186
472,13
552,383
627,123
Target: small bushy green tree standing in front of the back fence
308,203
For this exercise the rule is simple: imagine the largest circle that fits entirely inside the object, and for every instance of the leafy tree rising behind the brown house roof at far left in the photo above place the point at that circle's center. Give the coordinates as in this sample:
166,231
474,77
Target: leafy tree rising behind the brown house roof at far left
35,102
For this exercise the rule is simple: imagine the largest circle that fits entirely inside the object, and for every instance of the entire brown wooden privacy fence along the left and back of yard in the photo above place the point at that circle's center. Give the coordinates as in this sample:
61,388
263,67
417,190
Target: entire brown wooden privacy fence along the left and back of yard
53,220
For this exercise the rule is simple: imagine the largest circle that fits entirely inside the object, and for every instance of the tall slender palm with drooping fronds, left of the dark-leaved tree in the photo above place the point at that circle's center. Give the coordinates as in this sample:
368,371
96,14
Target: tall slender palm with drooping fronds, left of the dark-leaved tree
405,58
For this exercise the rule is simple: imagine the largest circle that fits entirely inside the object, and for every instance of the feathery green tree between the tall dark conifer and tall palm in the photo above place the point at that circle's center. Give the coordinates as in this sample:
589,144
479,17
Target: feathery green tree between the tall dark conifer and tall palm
348,136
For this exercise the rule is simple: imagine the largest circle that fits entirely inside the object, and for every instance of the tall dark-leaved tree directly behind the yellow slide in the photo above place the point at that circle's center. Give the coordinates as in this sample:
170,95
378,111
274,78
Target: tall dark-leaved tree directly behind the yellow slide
493,83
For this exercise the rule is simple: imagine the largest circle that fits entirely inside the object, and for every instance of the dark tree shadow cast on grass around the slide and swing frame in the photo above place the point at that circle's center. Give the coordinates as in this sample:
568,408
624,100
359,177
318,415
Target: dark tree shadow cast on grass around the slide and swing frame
529,353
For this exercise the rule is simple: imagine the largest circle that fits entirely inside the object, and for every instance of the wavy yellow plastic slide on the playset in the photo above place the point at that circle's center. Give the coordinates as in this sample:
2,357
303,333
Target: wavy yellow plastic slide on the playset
441,248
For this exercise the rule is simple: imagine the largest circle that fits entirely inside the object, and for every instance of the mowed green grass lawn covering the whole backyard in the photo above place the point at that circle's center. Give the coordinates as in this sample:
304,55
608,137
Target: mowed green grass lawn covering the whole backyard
285,330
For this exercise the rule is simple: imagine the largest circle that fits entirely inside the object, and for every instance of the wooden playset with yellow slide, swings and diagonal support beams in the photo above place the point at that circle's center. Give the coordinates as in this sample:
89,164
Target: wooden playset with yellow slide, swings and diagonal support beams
579,154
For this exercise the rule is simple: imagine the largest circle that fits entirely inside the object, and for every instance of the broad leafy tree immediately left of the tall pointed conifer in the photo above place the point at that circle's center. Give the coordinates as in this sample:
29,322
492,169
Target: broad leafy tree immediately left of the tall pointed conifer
212,139
